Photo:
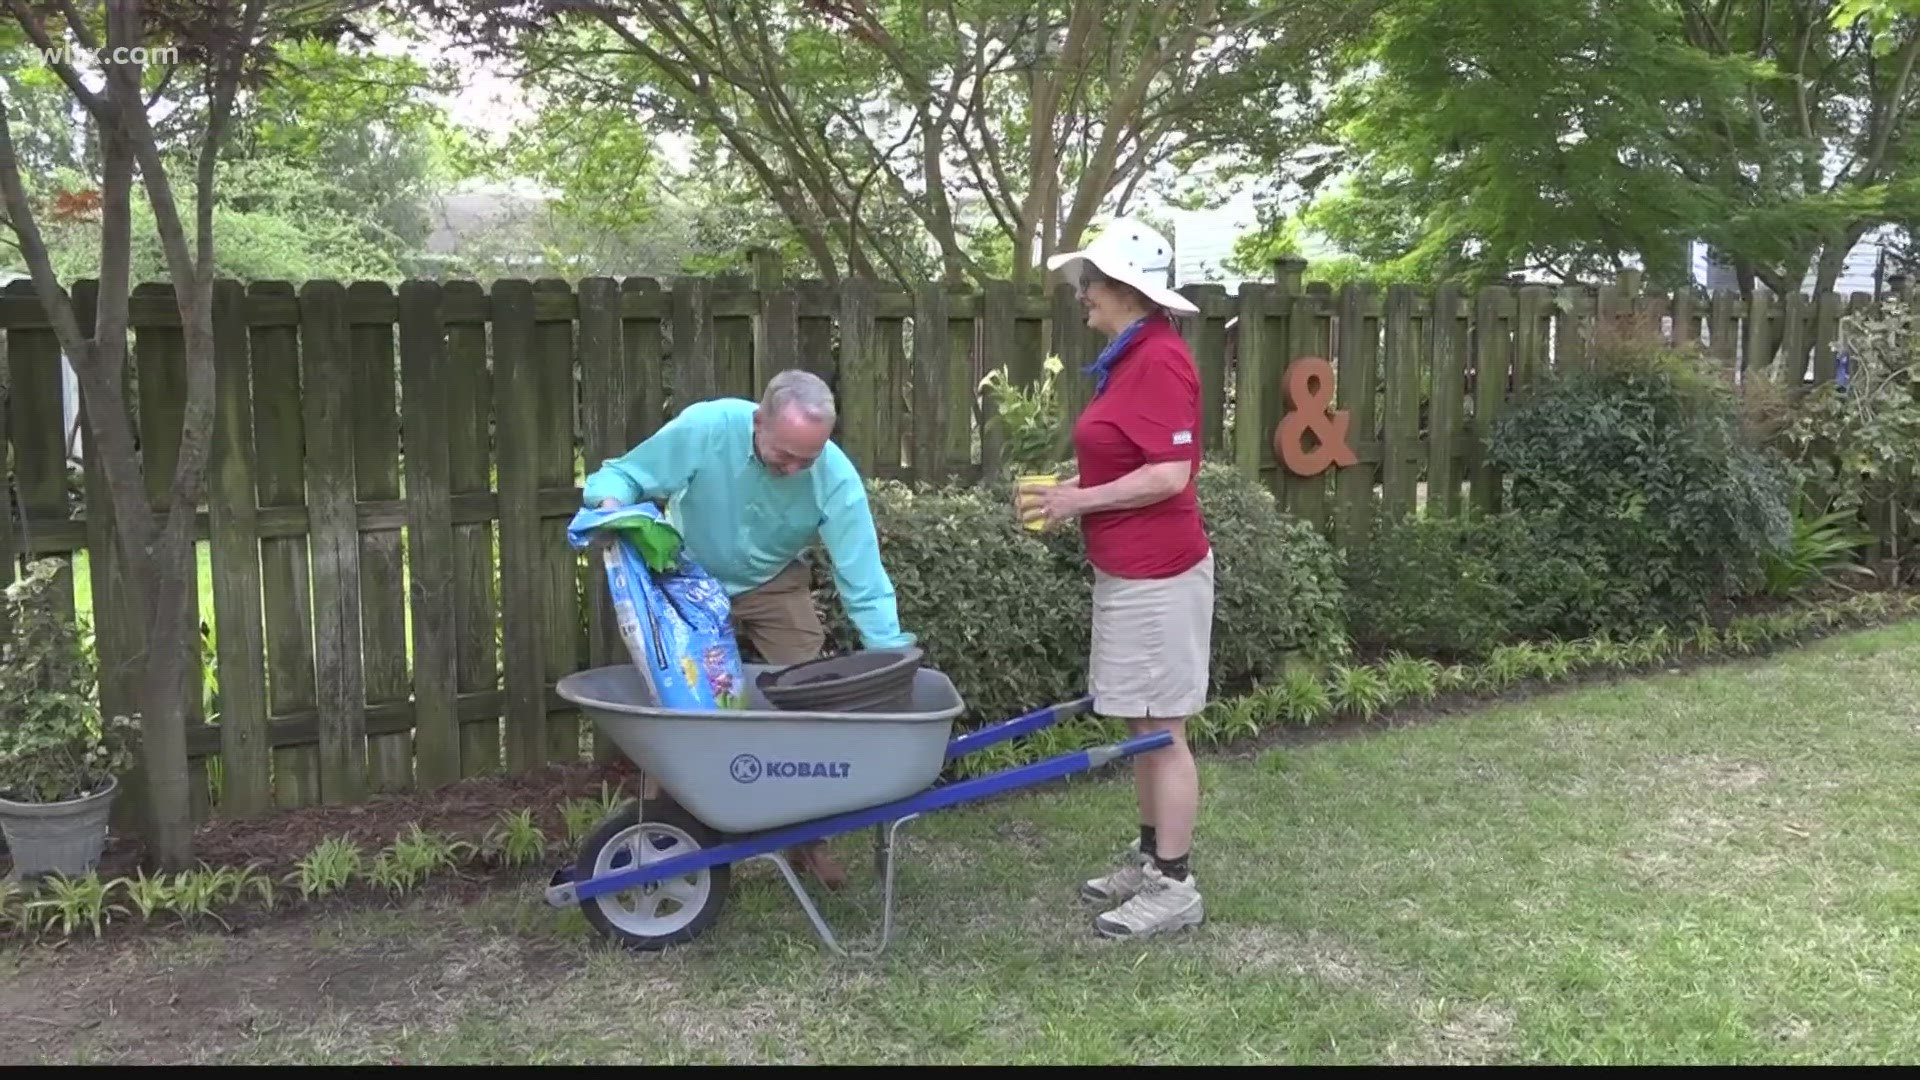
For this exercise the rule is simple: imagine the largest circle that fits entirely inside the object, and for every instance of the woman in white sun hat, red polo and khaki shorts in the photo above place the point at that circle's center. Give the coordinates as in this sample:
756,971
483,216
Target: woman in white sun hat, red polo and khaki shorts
1138,447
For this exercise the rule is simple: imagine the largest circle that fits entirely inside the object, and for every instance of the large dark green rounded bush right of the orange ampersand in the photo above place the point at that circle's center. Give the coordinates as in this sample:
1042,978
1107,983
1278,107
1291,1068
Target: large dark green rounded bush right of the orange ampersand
1646,462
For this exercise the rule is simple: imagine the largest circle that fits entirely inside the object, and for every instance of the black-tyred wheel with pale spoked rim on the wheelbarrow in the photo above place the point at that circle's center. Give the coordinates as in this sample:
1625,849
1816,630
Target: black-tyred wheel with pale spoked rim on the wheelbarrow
661,914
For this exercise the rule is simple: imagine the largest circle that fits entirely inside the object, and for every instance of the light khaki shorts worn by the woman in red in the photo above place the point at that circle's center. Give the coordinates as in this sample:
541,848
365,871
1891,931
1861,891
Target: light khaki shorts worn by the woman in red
1153,645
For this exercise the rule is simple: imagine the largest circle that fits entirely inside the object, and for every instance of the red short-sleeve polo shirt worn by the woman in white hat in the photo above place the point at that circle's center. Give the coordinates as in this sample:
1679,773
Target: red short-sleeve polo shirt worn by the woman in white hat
1149,412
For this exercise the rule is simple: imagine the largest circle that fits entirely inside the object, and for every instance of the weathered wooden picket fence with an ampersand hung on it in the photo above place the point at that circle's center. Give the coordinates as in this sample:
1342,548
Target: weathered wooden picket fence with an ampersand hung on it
393,472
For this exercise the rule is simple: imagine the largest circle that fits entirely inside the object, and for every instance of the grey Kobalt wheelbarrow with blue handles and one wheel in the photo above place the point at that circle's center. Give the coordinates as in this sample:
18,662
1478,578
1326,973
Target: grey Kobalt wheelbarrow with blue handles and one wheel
754,783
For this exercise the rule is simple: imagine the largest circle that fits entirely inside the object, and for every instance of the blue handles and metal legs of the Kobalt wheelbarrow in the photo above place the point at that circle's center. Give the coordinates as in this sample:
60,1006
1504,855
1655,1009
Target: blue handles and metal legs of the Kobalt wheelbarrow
886,820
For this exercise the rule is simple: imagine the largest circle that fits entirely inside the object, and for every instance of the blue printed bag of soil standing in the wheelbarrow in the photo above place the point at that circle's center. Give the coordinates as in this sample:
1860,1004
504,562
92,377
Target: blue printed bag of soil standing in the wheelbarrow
675,618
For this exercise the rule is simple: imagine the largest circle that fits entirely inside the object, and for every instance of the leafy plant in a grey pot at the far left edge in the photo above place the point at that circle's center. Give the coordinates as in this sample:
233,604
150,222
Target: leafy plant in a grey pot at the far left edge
60,760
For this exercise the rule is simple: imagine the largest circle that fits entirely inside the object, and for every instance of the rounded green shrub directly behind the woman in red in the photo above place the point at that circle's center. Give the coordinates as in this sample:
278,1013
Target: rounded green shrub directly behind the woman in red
1007,614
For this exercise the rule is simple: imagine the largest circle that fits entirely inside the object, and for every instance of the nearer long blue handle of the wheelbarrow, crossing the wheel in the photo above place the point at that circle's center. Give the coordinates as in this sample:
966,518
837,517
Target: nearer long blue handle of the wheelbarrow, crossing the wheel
744,848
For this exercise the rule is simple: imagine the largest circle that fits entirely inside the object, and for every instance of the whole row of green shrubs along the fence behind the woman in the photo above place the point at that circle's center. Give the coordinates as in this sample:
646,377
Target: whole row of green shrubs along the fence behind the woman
1635,497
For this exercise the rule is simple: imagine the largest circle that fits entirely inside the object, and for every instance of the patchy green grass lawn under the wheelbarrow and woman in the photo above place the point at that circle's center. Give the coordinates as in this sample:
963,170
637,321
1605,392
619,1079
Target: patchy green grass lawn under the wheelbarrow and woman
1708,868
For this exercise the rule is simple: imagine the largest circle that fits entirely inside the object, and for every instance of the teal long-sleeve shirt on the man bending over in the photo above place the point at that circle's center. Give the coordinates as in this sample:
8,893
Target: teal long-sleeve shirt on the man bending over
746,524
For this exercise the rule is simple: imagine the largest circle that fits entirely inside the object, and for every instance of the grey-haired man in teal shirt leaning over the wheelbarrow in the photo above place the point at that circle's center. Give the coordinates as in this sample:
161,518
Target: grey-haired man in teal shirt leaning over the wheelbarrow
750,487
